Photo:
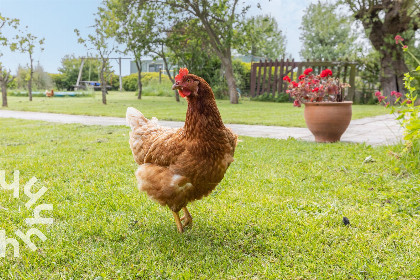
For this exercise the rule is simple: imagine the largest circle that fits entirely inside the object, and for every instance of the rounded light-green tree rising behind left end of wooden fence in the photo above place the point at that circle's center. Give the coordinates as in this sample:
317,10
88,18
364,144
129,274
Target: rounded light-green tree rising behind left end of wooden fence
262,37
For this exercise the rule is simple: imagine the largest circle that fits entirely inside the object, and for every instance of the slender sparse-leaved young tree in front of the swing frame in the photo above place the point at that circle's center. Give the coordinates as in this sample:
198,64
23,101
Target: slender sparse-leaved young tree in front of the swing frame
99,41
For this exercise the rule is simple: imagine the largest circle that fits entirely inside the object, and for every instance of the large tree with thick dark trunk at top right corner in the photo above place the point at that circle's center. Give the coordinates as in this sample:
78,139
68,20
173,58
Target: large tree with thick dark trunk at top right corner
382,21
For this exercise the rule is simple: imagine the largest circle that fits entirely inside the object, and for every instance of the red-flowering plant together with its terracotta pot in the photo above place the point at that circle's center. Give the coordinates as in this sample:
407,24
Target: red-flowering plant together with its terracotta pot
326,113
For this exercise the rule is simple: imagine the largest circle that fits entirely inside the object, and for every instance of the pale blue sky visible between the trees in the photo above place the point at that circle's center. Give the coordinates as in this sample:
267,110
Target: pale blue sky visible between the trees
55,20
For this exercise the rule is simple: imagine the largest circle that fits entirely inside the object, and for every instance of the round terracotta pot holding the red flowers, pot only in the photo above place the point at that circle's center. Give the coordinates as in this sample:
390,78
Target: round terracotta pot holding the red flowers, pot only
328,120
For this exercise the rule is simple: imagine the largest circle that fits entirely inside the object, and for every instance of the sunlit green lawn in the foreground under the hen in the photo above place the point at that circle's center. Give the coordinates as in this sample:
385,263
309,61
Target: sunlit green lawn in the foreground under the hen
277,214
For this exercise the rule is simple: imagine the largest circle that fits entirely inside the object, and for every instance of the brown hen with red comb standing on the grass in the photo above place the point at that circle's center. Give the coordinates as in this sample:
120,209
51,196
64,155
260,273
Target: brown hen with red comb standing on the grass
177,166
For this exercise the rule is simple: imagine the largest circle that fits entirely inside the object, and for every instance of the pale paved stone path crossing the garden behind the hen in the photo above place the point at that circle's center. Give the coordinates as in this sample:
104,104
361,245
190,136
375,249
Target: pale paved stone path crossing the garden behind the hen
379,130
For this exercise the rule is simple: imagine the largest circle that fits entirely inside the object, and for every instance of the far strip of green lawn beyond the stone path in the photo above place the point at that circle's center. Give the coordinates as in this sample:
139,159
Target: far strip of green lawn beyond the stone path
165,108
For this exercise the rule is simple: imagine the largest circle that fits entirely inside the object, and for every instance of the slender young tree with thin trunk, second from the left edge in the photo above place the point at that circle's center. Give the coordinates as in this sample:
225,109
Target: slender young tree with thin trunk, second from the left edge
26,44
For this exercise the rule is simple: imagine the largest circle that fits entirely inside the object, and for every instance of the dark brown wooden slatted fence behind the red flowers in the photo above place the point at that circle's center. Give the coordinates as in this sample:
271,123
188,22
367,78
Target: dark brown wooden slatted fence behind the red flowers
267,76
